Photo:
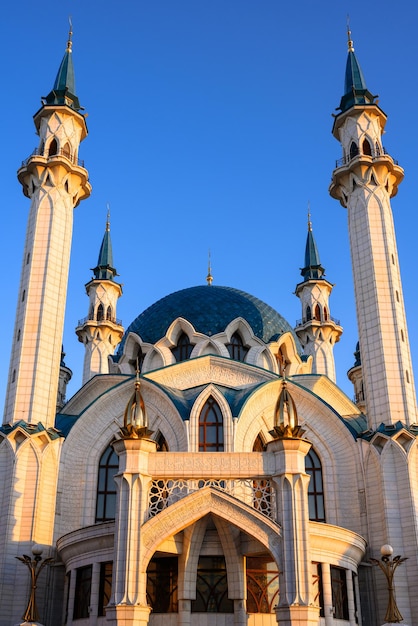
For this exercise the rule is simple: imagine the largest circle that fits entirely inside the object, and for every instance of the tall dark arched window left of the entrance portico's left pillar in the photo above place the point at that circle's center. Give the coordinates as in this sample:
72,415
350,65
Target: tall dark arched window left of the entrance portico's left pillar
106,486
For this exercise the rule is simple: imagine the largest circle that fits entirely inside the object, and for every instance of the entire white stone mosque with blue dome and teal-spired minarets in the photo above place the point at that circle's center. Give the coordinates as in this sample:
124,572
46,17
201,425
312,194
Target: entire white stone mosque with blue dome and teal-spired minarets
209,471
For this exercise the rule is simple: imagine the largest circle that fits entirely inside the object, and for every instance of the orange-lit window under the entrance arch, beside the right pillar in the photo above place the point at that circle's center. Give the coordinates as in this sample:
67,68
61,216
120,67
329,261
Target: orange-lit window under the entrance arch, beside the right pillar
262,584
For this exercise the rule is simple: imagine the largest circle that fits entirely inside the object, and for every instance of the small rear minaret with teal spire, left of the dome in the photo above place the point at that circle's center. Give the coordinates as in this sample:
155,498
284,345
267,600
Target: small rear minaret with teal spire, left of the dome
100,331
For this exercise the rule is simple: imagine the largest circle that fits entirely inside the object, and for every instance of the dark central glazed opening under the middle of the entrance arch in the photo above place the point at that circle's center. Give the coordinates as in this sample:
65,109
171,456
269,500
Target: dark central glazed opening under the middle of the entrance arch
212,587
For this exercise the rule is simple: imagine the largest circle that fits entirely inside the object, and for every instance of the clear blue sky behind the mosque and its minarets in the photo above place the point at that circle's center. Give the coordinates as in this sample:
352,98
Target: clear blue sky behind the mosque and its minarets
209,127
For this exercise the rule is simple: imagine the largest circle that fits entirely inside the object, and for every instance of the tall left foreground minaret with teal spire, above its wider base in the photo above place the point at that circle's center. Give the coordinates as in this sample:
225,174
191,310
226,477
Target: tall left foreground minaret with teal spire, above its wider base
55,181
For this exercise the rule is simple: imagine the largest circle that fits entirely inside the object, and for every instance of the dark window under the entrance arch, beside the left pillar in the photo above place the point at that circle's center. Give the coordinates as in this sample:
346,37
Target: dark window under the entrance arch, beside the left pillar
162,575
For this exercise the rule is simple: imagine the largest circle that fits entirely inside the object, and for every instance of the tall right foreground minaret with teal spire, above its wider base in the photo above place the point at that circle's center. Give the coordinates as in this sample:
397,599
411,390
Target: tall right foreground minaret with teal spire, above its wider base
364,181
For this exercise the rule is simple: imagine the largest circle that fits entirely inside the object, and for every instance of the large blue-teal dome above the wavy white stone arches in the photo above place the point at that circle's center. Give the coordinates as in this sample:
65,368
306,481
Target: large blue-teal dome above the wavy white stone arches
209,309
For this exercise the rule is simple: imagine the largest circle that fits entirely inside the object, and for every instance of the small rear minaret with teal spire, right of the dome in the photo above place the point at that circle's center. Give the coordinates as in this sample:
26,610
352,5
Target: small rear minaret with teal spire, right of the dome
318,332
